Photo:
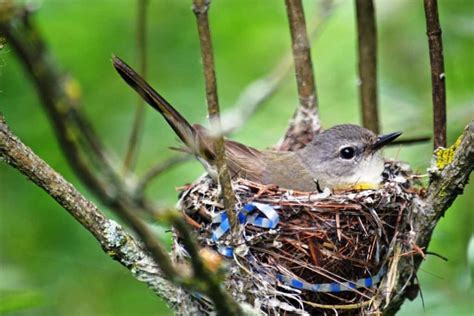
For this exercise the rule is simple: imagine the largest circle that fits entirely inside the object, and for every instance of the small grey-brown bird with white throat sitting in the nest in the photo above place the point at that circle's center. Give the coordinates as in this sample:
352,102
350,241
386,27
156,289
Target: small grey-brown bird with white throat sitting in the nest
343,156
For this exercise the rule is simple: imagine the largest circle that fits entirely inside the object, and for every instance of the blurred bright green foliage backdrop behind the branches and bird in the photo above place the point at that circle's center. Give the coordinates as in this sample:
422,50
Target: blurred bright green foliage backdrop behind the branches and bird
49,265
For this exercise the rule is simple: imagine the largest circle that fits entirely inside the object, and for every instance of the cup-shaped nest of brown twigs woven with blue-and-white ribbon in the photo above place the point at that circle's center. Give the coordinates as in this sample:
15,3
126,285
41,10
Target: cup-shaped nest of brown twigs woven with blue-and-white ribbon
328,251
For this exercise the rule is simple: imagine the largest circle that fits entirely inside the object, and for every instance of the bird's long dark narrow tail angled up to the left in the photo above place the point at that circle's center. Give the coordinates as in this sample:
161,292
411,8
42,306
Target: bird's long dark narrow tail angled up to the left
185,131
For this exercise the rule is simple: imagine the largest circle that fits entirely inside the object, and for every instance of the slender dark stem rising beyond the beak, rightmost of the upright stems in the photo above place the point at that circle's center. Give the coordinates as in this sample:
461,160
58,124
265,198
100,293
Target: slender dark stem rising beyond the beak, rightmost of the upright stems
435,43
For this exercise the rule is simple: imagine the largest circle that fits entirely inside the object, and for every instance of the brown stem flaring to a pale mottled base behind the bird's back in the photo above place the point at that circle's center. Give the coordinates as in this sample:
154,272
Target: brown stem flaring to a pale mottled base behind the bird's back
305,120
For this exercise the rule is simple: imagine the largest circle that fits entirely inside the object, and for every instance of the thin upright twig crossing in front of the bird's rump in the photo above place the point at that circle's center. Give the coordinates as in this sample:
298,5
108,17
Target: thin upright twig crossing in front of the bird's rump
200,8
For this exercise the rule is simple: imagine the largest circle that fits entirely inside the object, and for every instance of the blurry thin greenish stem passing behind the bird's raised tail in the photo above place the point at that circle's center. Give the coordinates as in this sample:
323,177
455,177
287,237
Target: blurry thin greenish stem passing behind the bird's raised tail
137,128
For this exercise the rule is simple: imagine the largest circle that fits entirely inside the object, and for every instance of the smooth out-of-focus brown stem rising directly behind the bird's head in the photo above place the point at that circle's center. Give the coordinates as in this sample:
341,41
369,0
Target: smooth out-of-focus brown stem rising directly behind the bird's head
367,40
